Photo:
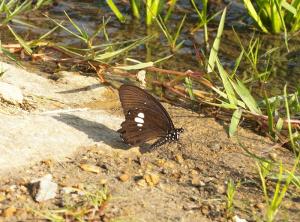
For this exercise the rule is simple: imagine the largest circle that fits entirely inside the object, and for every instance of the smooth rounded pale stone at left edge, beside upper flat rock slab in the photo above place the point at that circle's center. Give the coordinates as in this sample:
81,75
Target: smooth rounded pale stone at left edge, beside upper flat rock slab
11,93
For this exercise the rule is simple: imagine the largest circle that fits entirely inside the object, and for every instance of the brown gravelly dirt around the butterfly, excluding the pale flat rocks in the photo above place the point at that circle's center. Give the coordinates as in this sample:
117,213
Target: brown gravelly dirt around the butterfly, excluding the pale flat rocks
184,181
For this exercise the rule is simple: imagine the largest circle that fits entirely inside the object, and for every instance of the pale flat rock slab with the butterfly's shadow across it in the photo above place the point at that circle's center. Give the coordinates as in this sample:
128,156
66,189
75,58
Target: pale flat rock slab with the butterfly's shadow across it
28,138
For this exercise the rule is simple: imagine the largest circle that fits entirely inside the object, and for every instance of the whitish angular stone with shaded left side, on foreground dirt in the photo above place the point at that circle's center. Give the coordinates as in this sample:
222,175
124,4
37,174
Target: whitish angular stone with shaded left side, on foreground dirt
43,189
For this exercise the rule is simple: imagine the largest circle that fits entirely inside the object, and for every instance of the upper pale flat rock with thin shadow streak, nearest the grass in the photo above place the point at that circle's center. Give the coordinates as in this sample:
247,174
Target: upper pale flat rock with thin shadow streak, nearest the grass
80,89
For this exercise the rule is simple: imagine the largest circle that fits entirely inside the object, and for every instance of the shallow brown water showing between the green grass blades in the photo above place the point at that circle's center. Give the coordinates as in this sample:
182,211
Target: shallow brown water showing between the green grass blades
89,14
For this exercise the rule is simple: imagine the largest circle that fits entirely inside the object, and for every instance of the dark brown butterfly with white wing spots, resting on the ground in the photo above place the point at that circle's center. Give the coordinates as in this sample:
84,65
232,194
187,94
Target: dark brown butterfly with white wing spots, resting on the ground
145,118
